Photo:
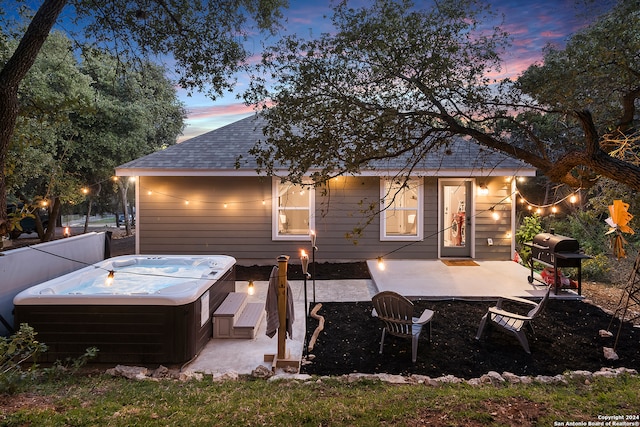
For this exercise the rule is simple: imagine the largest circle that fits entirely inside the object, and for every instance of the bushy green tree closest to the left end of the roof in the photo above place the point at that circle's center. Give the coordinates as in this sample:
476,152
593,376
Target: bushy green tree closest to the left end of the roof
136,113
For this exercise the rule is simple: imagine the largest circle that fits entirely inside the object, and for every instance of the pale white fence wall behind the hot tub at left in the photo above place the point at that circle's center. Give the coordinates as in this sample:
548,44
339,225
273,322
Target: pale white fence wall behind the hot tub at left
24,267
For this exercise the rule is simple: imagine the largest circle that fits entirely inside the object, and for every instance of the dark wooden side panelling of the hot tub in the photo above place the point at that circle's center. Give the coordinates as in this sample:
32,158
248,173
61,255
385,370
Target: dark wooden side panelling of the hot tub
125,334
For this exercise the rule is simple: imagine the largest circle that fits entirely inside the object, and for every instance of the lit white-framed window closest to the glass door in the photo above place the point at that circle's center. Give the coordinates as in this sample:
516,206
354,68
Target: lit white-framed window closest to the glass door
402,209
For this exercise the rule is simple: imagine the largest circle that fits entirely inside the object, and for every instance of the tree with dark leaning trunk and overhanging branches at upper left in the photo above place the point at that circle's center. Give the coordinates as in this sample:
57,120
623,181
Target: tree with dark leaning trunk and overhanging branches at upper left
204,37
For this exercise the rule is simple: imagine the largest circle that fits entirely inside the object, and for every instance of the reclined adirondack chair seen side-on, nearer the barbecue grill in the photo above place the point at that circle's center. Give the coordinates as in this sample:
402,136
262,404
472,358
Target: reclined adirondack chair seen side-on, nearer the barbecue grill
514,323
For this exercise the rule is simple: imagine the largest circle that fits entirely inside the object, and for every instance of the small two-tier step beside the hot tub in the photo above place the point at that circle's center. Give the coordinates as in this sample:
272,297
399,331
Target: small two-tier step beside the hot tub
235,318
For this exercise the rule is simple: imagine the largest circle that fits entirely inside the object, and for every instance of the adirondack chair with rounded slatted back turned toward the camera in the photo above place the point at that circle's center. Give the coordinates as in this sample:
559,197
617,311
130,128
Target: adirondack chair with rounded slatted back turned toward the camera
396,312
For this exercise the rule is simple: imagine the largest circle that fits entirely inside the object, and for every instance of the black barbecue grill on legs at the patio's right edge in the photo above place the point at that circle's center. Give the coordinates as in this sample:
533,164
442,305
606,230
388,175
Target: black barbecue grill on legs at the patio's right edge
556,251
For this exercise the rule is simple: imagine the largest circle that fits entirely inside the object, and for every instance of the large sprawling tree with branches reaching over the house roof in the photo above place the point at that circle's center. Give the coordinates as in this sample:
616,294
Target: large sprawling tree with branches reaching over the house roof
396,80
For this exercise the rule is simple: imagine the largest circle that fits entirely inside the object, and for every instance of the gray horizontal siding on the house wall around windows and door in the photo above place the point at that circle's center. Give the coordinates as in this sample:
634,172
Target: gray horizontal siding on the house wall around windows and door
167,225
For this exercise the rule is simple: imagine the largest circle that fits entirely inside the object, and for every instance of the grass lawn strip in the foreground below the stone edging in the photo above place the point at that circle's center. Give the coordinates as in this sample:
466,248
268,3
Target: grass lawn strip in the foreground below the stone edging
103,400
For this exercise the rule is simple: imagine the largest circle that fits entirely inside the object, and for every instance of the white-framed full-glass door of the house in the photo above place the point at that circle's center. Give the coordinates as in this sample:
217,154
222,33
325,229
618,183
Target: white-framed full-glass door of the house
455,222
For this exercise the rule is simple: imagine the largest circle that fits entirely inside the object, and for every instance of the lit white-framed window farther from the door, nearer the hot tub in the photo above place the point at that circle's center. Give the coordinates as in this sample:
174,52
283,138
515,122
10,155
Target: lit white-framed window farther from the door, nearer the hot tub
293,211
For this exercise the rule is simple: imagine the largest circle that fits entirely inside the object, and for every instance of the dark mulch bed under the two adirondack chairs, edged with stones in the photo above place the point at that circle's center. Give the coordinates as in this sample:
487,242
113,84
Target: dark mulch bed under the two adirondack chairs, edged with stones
566,339
